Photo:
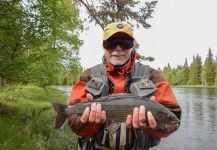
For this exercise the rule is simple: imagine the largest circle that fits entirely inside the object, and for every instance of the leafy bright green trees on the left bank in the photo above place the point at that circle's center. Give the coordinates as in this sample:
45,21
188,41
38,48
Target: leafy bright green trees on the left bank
39,42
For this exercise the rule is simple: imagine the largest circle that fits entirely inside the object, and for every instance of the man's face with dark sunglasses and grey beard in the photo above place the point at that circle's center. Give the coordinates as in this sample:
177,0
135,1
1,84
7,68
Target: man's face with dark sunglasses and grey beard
118,49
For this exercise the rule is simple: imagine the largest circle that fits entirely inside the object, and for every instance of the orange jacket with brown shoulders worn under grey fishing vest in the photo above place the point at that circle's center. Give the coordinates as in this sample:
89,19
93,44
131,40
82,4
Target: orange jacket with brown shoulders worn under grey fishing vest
163,94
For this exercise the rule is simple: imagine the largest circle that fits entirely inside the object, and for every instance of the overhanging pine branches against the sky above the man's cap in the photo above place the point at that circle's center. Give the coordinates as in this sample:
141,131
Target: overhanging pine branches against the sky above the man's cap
103,12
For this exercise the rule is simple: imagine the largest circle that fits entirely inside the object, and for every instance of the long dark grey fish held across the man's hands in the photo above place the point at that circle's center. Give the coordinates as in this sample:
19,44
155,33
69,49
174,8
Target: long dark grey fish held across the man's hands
117,107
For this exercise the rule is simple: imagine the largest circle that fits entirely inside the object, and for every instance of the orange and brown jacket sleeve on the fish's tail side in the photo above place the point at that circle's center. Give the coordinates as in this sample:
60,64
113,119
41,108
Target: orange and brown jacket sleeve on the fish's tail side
78,94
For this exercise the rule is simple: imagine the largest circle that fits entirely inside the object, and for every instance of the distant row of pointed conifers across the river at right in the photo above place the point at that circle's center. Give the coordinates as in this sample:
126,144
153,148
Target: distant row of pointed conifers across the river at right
197,73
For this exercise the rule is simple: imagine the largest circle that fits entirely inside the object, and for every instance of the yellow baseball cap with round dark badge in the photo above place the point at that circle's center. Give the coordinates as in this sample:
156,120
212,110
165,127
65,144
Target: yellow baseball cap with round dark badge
116,27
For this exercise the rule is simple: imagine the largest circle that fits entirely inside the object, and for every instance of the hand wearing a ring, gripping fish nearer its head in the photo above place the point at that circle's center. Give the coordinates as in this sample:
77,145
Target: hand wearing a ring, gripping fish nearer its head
138,118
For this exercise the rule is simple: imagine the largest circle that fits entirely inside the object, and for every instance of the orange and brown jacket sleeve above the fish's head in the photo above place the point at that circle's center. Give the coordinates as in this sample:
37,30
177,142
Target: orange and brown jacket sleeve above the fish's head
165,96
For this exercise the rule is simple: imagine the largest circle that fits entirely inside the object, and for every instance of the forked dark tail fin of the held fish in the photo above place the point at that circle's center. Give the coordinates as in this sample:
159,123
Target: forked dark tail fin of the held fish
61,115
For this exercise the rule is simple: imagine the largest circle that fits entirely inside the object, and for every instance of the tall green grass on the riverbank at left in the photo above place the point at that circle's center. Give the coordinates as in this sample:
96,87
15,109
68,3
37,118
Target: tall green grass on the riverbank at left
27,120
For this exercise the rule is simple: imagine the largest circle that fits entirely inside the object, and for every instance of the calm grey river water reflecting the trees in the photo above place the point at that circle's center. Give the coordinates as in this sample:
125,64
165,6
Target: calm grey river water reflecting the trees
198,130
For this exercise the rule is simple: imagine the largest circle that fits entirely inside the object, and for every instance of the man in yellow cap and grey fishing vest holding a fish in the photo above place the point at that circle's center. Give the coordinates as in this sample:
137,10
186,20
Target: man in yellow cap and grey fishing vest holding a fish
119,73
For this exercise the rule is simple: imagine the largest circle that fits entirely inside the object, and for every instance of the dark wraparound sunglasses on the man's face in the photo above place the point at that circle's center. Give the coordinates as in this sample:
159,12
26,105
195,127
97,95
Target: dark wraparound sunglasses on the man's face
124,43
